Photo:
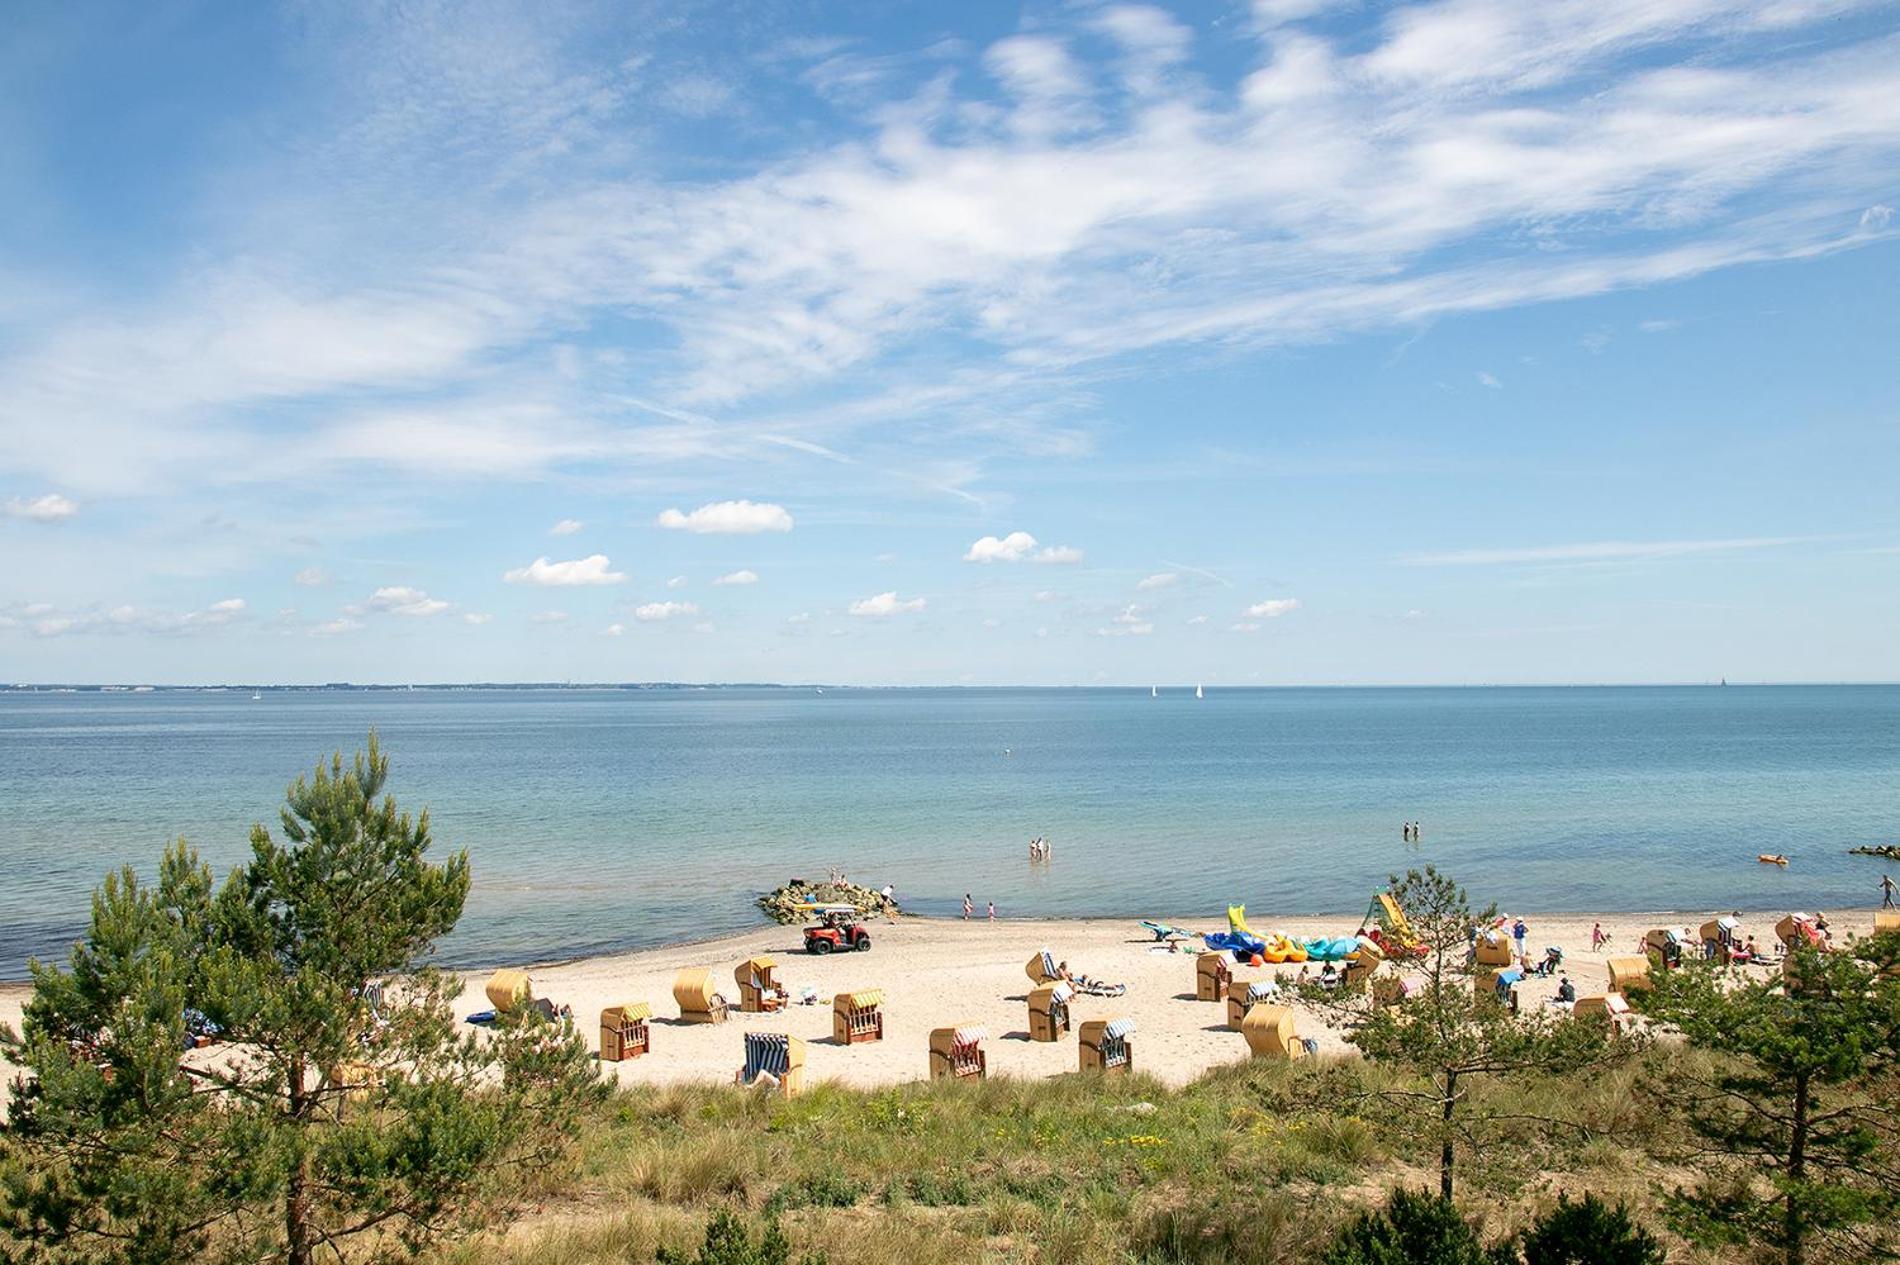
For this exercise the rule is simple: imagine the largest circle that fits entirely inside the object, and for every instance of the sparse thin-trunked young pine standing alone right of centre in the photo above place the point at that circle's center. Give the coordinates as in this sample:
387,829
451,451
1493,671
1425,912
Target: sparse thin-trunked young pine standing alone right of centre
1454,1032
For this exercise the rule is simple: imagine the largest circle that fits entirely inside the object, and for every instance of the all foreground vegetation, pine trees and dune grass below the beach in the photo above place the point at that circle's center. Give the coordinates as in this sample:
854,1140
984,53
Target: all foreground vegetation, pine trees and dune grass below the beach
352,1122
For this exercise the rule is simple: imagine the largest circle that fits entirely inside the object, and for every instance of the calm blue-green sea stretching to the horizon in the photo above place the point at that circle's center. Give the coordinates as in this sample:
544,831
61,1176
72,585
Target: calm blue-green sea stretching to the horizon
611,820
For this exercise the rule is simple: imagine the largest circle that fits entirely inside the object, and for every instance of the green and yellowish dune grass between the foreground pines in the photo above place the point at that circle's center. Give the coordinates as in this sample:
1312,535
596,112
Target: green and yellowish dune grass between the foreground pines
1251,1165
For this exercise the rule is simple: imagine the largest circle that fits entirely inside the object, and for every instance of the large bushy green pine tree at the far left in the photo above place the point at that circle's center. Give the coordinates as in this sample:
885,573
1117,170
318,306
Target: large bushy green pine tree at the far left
343,1105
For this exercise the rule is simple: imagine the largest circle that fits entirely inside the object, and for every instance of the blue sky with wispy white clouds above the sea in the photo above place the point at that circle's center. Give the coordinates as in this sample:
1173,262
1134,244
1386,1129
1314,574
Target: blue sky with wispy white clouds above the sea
1061,343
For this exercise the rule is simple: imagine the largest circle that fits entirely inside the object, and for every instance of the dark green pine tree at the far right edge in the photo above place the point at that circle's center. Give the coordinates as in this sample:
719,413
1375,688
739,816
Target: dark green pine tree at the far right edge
1795,1118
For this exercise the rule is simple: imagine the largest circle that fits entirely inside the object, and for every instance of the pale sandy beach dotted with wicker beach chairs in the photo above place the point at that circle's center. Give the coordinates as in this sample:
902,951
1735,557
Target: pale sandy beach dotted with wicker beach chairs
947,972
